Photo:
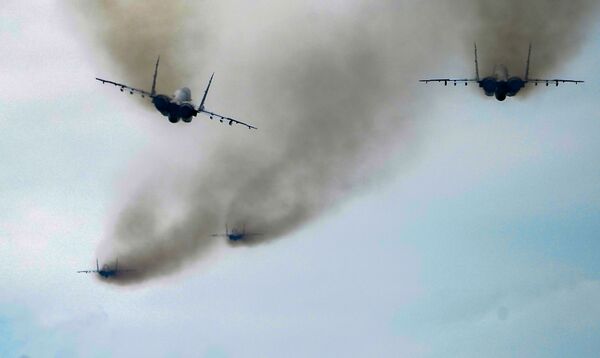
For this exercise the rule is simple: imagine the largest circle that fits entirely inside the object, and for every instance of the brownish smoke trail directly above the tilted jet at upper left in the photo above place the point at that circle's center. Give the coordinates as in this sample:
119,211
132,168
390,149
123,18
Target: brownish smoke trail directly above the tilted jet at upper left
134,33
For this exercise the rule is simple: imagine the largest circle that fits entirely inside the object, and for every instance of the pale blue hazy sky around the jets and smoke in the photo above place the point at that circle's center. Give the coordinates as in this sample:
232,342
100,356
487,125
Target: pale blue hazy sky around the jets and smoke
480,239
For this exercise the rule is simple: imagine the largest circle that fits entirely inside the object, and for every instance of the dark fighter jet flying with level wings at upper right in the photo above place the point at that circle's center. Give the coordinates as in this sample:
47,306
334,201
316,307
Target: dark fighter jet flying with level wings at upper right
500,83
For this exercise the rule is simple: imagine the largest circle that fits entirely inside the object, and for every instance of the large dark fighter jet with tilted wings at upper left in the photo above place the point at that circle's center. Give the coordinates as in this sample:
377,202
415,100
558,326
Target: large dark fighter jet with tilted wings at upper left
179,106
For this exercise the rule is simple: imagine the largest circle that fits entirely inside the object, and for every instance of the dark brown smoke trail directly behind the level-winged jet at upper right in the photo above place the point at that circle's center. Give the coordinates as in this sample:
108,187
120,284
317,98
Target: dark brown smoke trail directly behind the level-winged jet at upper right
556,29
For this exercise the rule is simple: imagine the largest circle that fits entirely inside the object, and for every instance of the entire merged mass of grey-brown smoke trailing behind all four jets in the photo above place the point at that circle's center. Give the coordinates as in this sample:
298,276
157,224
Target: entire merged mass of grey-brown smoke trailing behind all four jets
332,88
